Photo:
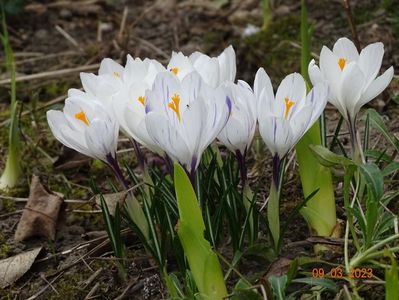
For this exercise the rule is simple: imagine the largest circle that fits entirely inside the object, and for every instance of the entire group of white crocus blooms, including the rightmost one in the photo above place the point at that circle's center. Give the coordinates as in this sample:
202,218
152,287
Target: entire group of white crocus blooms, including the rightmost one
179,110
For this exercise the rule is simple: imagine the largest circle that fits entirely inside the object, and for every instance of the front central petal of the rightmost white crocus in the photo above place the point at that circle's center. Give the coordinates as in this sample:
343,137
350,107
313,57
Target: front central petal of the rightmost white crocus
352,84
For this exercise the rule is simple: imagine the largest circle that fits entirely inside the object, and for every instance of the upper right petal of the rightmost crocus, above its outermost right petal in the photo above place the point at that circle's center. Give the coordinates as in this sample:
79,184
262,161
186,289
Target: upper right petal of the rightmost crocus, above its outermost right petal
370,60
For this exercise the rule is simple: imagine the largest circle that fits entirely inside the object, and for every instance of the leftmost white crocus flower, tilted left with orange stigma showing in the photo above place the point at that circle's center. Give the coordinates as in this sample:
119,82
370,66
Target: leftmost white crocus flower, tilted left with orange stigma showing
86,127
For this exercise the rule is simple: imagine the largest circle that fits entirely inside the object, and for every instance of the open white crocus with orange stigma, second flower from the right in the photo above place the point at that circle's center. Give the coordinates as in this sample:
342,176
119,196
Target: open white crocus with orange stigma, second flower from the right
285,117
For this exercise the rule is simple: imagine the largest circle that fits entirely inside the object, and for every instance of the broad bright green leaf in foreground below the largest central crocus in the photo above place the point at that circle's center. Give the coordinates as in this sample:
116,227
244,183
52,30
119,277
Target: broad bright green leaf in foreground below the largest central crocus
204,263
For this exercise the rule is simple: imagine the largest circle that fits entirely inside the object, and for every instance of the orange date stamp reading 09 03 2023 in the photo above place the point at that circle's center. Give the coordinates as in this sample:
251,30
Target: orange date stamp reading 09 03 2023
338,273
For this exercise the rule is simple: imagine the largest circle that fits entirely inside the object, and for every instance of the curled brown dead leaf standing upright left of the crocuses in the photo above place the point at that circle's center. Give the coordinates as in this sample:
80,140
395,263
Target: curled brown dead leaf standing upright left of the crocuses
40,213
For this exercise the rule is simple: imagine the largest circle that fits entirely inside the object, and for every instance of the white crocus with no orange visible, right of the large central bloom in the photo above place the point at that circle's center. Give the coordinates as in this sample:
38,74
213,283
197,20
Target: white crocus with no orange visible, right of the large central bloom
239,131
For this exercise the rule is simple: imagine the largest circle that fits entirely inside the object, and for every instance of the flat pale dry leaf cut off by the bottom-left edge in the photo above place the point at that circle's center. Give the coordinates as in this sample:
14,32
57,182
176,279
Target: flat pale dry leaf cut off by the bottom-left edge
14,267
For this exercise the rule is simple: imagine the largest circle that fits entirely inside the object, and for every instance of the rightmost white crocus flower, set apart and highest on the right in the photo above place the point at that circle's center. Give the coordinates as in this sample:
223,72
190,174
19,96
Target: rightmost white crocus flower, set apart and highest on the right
352,77
